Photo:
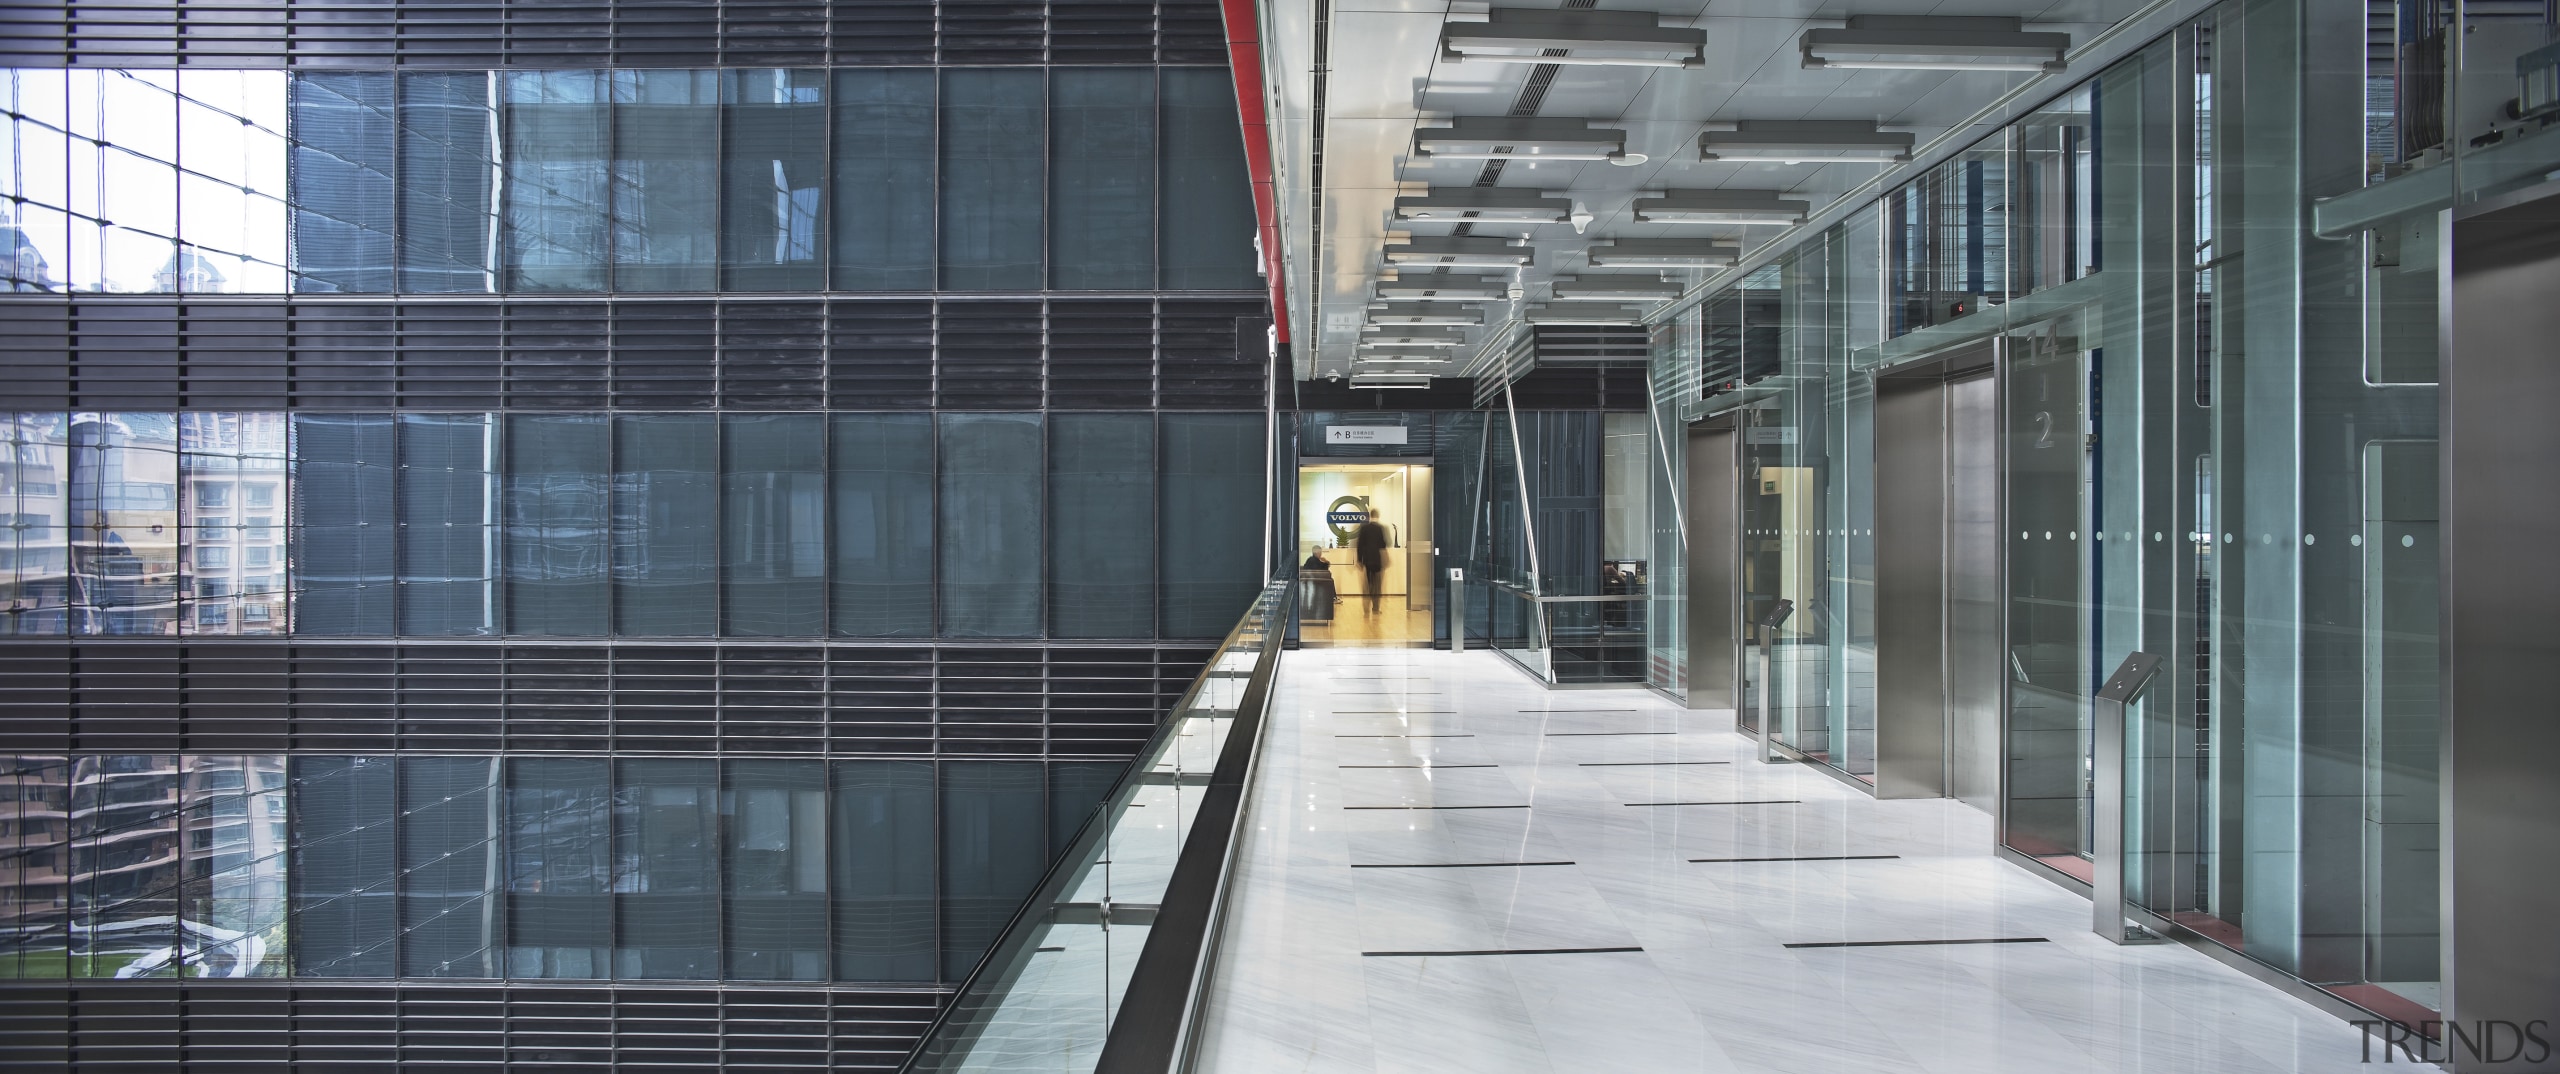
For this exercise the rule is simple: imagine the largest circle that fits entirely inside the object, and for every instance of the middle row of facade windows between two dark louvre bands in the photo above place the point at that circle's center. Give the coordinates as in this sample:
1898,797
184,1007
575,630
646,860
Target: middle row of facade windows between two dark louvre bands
631,525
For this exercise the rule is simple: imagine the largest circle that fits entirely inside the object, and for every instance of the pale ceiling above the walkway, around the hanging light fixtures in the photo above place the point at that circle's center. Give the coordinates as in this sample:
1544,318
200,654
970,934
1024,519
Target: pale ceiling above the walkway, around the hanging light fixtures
1381,78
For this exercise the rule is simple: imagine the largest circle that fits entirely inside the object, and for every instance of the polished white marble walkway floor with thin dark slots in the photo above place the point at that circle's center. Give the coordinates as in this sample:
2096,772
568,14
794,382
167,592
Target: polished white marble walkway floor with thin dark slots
1455,871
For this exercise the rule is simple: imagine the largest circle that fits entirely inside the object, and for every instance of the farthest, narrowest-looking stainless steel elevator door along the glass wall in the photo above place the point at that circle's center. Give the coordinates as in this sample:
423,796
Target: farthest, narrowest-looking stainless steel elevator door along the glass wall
1714,572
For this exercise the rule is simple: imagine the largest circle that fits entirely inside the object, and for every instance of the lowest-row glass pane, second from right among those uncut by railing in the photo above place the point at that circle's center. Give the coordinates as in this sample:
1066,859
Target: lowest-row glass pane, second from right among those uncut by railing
774,899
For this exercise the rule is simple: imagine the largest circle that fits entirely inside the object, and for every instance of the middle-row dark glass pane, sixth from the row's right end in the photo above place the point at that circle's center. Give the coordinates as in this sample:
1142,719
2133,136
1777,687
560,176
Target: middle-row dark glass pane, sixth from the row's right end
667,525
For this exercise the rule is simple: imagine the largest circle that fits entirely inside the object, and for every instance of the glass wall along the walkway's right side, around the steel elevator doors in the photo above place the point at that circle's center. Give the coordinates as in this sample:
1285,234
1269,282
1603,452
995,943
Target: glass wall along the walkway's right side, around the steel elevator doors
2216,436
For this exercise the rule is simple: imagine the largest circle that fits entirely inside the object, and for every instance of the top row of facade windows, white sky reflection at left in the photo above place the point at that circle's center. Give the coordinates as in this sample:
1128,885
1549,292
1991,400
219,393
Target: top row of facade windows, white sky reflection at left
662,180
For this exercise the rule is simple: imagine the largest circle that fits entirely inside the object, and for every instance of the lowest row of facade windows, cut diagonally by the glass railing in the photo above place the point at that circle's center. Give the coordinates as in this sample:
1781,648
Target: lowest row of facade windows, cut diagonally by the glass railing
524,868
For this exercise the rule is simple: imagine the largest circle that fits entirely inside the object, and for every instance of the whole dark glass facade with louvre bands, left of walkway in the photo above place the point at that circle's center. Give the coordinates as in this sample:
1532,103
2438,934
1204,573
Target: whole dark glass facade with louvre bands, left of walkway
687,536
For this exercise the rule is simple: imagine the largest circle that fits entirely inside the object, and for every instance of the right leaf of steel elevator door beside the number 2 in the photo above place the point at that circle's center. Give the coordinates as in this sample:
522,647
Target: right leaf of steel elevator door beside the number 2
1972,592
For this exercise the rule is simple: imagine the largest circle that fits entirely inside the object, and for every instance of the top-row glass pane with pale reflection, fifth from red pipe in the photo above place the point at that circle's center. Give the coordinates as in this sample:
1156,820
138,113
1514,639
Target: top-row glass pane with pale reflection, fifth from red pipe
774,180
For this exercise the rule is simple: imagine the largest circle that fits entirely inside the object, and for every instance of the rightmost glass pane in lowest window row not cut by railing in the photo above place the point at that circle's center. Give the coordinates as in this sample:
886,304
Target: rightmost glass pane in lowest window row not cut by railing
884,871
